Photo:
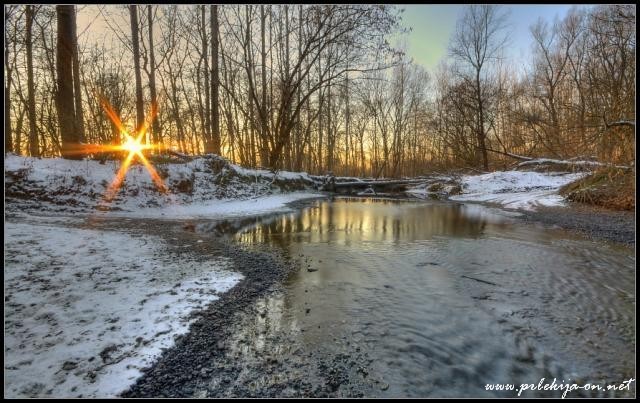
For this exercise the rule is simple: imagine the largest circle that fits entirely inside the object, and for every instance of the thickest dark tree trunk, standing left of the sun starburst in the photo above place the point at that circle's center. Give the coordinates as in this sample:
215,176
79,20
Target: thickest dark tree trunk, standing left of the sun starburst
64,70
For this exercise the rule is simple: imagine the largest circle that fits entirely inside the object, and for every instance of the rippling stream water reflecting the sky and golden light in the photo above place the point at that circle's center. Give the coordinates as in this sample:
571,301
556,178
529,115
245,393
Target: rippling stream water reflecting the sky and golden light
427,299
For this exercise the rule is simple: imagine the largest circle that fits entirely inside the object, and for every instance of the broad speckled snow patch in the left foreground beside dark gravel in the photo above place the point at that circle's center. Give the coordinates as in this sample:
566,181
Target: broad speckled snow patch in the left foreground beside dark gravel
85,310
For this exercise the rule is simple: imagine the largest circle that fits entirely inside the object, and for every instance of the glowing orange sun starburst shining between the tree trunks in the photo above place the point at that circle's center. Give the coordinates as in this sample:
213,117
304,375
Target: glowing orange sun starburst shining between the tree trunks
132,145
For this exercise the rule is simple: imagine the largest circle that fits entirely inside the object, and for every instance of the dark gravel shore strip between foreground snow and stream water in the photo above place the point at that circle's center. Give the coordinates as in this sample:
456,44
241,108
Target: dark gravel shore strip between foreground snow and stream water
230,351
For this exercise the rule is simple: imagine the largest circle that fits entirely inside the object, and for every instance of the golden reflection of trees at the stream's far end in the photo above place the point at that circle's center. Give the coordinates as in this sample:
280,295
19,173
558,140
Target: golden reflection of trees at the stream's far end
376,220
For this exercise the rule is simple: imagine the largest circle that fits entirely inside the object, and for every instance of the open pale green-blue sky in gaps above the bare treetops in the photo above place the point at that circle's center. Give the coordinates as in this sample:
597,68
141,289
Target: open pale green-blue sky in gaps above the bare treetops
432,26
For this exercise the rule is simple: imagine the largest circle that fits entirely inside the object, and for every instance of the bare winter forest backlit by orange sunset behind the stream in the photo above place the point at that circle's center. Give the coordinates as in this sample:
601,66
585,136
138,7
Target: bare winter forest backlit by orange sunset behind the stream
320,88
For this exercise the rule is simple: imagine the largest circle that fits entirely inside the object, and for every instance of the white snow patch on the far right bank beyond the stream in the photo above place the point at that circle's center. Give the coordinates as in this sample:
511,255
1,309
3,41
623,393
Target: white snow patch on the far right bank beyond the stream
516,189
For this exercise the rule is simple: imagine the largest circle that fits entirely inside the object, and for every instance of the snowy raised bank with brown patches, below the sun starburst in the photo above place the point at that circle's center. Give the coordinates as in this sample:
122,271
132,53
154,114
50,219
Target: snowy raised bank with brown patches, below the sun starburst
206,186
